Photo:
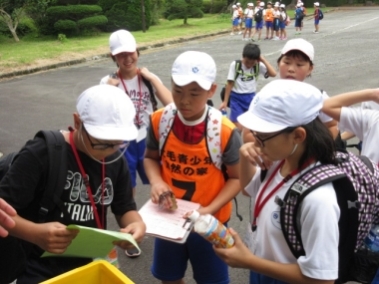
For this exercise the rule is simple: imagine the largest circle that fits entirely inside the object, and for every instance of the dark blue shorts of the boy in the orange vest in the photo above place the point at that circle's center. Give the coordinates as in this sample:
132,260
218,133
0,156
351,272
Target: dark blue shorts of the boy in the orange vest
170,261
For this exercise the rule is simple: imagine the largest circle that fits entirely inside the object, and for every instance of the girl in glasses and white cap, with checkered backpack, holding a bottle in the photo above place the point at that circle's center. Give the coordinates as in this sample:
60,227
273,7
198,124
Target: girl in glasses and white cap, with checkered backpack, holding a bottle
283,120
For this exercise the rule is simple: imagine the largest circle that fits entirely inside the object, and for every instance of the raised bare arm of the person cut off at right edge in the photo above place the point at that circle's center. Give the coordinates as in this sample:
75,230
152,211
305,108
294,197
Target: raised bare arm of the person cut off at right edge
333,105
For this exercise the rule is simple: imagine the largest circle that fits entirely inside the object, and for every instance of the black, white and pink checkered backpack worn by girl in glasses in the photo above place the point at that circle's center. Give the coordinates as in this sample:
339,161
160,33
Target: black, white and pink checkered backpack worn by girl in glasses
356,182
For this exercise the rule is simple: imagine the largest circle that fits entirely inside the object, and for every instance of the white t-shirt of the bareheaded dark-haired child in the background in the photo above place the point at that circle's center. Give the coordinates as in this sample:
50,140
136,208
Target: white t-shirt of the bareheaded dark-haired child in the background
245,82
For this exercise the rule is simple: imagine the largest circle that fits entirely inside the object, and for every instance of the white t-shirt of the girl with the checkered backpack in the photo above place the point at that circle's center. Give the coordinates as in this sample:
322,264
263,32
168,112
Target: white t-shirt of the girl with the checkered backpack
319,221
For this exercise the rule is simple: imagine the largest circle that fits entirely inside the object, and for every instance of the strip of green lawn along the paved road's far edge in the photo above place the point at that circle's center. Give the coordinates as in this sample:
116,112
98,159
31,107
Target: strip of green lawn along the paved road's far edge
31,51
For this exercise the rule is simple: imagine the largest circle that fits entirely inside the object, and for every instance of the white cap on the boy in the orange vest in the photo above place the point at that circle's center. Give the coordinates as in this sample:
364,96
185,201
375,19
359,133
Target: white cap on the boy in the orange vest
194,66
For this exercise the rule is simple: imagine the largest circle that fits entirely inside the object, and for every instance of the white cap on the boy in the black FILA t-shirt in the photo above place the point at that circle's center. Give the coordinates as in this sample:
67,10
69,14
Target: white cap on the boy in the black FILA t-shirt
107,113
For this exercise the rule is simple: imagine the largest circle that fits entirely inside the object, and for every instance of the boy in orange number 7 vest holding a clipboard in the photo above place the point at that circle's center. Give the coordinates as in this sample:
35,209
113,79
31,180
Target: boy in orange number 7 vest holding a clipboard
183,156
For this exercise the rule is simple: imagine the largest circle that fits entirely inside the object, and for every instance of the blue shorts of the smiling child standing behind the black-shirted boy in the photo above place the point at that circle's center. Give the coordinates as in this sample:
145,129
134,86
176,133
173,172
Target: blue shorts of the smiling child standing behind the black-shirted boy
135,155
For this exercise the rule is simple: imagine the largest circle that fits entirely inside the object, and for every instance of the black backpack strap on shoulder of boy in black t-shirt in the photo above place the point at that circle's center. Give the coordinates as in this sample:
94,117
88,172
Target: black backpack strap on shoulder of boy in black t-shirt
57,173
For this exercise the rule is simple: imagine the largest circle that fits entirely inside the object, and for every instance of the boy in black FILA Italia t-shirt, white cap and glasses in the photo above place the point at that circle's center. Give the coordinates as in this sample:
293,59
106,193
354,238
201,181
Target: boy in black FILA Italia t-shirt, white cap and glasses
96,177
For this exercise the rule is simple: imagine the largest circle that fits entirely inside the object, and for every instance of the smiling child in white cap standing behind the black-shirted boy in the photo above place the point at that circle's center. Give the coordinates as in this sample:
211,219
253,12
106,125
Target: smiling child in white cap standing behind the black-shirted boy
141,86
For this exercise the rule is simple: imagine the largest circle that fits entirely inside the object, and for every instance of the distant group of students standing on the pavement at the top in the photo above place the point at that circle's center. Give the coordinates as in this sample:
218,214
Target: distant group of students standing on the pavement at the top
274,18
